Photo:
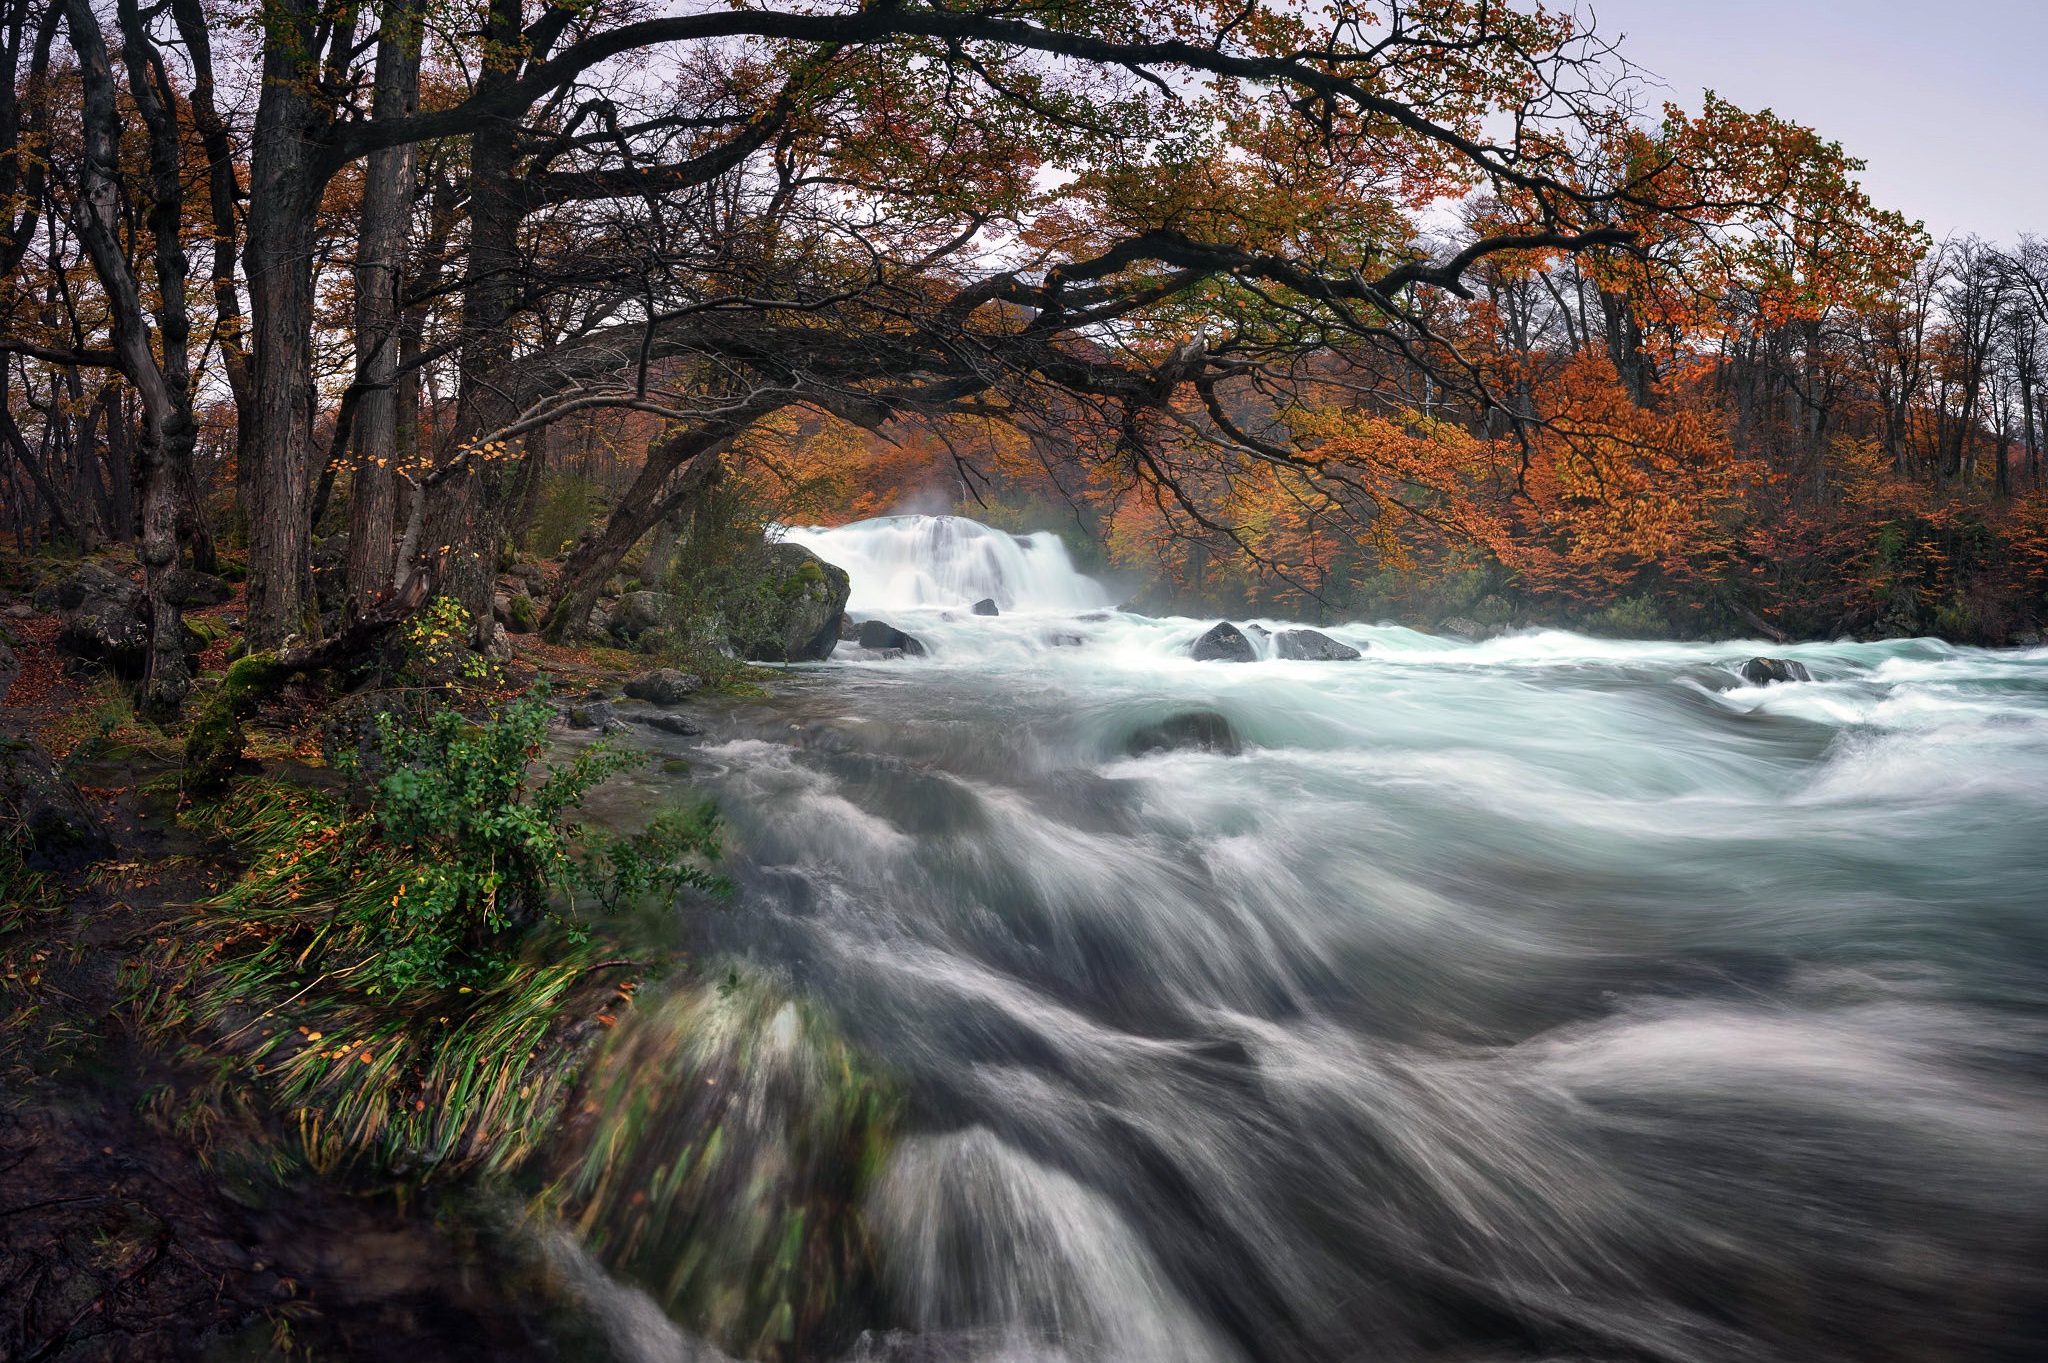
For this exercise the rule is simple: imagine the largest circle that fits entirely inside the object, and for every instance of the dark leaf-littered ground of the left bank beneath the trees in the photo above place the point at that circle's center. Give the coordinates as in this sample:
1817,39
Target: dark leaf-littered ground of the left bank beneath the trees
134,1221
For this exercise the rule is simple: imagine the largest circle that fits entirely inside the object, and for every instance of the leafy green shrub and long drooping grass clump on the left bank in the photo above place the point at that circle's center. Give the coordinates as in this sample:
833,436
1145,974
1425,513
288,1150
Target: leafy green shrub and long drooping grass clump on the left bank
402,975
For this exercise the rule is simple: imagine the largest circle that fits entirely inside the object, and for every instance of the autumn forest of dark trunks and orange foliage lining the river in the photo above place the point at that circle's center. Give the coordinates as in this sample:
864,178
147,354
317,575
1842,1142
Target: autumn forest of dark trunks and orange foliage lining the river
1406,306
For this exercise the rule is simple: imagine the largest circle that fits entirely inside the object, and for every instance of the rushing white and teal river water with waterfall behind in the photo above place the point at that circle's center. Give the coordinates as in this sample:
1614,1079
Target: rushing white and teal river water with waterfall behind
1537,1000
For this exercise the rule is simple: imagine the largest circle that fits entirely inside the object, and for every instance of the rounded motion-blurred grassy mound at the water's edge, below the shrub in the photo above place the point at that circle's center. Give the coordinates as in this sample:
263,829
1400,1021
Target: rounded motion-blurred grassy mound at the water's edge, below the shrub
730,1145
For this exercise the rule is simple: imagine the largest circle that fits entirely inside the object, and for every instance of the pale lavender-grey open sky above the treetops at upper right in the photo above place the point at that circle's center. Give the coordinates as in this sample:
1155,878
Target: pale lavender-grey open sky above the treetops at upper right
1945,99
